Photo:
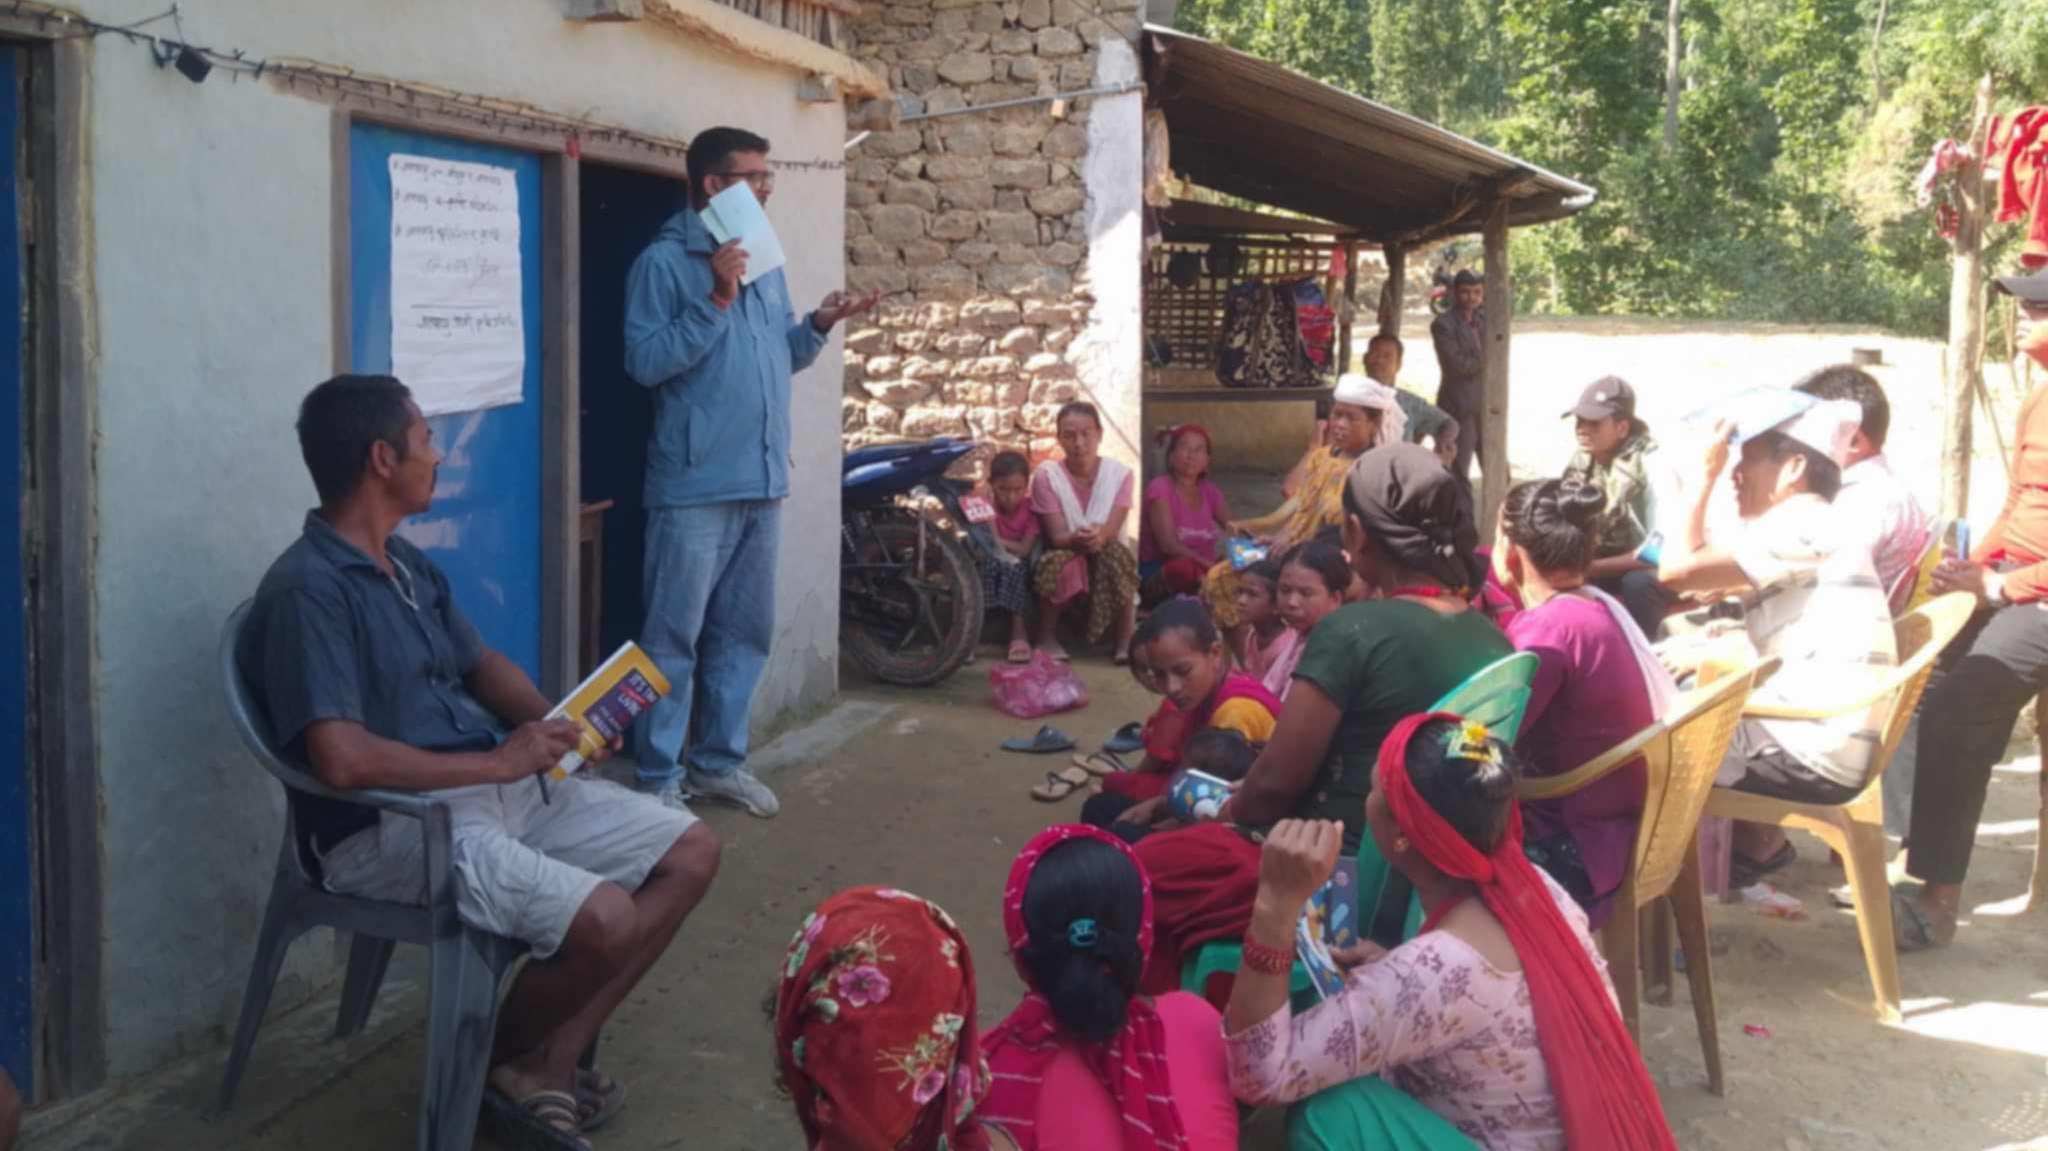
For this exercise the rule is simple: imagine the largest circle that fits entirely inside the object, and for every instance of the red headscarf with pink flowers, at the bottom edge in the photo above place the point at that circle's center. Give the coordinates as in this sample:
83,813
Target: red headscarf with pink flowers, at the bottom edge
876,1027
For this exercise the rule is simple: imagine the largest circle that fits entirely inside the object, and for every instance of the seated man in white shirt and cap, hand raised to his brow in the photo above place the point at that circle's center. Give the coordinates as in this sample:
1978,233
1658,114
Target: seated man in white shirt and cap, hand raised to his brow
1811,597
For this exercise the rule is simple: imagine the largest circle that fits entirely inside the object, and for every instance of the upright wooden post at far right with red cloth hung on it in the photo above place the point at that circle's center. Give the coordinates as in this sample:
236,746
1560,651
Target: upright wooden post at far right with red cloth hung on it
1965,314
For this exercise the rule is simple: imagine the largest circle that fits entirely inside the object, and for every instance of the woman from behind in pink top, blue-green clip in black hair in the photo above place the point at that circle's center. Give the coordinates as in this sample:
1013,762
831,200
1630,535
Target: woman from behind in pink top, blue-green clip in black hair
1086,1062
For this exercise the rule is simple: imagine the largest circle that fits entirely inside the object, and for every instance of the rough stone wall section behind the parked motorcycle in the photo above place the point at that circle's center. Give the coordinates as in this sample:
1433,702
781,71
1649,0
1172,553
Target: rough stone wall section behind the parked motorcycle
976,226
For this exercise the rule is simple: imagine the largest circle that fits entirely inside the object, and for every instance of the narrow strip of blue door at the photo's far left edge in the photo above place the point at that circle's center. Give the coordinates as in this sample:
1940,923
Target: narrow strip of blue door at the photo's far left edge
17,871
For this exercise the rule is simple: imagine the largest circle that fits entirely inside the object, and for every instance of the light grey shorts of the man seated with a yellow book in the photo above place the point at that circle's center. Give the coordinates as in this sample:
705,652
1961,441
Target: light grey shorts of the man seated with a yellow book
523,867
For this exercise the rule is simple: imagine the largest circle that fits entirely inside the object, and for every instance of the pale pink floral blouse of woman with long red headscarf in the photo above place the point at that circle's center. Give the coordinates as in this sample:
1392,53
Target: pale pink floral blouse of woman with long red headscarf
1433,1019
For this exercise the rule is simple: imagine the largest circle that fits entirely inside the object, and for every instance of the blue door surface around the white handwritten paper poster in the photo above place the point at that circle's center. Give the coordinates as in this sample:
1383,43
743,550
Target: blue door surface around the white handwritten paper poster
486,521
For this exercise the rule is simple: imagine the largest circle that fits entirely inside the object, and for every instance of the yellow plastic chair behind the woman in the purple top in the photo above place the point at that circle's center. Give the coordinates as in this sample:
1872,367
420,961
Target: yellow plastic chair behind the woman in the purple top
1682,753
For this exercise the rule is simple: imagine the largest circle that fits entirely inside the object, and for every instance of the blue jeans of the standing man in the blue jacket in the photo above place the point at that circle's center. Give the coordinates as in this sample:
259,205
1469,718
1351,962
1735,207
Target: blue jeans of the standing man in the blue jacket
710,593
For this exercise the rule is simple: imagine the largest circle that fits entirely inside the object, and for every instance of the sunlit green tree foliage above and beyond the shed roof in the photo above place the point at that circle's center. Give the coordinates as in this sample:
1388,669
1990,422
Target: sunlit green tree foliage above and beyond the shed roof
1789,196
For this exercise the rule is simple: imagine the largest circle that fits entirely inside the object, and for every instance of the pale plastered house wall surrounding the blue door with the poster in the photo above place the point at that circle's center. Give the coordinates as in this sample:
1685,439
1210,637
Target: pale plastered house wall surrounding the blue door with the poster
214,267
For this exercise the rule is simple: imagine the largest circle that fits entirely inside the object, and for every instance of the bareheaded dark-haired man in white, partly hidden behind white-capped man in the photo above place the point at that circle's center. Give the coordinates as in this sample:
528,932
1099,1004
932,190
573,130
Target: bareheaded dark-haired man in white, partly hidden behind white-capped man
1871,493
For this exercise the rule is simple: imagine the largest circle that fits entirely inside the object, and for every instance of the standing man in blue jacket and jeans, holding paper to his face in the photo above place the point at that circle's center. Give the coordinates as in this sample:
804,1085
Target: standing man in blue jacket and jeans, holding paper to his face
720,355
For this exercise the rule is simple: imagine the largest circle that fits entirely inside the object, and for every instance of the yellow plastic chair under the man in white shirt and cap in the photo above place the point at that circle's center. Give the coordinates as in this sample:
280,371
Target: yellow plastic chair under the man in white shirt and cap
1857,830
